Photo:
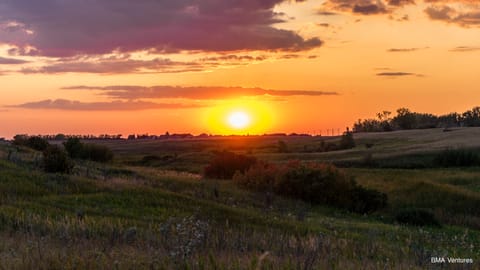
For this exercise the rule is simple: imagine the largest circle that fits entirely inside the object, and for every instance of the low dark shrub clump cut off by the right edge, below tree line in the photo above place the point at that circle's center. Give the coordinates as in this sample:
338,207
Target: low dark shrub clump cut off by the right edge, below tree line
457,158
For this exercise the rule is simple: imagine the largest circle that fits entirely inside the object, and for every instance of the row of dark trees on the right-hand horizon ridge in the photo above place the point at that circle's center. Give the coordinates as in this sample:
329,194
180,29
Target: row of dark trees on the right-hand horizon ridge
407,119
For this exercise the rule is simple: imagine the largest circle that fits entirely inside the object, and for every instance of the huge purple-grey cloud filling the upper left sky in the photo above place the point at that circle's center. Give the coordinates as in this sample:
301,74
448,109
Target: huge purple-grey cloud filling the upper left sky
70,27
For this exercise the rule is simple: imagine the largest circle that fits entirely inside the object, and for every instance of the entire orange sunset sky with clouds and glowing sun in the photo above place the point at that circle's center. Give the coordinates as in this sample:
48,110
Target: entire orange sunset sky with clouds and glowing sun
152,66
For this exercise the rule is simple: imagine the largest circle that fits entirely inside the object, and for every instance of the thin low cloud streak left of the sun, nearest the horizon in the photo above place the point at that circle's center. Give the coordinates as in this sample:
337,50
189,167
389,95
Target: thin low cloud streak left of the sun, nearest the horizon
71,105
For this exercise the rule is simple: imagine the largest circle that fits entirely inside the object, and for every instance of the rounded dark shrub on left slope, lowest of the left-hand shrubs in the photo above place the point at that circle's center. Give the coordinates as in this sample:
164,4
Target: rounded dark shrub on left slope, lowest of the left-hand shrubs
55,159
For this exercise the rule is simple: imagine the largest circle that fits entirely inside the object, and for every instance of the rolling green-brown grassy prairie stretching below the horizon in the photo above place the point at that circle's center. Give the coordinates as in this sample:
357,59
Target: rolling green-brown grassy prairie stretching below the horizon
152,209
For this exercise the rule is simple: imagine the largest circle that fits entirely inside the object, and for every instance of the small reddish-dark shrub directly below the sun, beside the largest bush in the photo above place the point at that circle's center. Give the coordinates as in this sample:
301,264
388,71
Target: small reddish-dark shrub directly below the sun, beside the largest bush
225,164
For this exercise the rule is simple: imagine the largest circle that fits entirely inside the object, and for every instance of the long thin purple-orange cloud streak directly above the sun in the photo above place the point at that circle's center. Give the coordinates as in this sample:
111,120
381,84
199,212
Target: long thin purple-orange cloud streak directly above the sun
133,92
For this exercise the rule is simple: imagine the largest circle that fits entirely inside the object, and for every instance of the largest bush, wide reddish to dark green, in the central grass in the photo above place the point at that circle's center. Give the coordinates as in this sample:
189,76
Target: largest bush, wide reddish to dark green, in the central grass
316,183
